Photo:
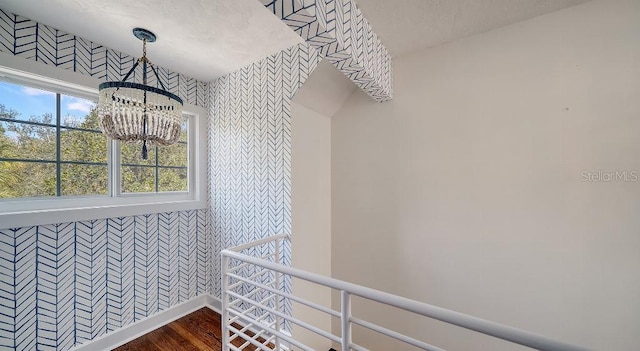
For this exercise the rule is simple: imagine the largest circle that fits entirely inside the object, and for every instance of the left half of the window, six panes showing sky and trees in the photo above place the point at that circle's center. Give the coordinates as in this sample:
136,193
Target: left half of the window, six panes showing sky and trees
50,145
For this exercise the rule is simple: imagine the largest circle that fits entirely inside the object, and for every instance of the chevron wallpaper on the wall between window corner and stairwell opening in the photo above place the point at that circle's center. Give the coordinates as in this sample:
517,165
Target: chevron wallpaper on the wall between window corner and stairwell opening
250,150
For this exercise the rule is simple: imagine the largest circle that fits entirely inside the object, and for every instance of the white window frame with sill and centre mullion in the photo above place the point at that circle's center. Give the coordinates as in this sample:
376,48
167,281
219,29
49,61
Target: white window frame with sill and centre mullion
39,211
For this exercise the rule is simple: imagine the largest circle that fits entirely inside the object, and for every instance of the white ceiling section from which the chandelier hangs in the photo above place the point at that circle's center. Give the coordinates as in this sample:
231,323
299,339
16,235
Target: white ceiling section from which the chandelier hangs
204,39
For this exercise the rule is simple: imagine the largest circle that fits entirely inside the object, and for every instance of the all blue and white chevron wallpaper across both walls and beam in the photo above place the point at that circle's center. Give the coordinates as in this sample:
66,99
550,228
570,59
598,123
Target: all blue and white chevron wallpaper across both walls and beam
65,284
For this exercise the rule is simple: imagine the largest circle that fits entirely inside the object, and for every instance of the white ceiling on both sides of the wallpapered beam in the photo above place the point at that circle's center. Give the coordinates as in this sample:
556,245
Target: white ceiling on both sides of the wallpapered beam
209,38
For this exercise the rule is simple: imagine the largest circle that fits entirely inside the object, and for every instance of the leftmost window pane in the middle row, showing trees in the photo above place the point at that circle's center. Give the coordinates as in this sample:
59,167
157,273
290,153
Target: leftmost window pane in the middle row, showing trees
19,140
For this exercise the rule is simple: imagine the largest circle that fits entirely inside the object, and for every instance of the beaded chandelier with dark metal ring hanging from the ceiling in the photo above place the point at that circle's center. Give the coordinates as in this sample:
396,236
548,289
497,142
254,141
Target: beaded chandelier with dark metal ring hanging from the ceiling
133,112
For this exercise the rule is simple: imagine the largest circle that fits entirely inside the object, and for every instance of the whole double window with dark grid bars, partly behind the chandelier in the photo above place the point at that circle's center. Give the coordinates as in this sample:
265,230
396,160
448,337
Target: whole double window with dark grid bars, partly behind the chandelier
51,147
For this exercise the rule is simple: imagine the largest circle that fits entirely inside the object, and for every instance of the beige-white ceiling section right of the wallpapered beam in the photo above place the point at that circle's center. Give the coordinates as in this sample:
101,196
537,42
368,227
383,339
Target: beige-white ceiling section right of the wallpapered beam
409,25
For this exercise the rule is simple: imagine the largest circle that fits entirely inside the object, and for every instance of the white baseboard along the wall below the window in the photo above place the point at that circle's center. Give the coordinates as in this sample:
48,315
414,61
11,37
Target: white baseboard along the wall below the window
122,336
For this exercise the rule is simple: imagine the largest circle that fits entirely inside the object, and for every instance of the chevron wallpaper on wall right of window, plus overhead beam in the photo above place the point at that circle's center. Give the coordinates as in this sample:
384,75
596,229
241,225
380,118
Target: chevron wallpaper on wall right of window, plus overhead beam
250,116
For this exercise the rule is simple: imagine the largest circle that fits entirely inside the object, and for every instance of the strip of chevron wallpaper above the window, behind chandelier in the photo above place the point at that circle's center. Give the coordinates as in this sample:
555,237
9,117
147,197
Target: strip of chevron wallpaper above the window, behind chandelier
38,42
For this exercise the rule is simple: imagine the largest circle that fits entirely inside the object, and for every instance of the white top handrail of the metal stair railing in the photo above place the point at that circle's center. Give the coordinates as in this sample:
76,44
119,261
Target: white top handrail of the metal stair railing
494,329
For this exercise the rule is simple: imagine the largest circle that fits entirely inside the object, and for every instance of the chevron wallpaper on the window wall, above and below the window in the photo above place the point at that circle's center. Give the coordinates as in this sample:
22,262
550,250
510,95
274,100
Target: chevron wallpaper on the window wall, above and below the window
64,284
